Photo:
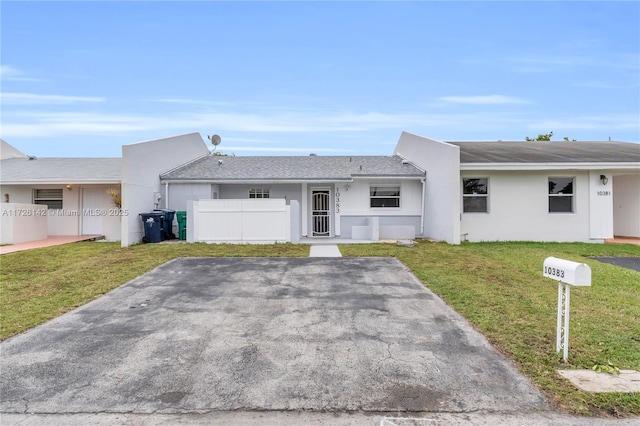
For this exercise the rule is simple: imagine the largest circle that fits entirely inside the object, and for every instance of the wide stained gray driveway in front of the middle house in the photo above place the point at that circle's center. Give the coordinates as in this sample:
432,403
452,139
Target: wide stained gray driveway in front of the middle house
220,334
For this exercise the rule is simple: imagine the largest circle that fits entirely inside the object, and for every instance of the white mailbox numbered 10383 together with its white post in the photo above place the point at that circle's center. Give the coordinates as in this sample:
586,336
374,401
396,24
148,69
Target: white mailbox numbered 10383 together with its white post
568,274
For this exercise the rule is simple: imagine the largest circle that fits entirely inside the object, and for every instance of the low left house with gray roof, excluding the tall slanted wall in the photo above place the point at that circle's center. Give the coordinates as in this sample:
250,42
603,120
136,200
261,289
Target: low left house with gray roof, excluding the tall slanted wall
68,194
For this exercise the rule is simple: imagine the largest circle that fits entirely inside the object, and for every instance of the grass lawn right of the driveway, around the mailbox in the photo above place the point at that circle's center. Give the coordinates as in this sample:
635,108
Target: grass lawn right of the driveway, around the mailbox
499,288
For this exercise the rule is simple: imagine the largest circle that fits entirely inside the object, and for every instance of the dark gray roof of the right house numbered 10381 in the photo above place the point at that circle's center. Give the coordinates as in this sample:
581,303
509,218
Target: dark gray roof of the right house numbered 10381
548,152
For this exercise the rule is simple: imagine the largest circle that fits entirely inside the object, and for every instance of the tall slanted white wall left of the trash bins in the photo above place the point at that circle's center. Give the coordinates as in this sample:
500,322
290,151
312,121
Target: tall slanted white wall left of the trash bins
142,164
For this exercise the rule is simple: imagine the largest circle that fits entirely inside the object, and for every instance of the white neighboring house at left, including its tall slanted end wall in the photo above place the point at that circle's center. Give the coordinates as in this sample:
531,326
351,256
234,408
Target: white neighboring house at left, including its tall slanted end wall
72,192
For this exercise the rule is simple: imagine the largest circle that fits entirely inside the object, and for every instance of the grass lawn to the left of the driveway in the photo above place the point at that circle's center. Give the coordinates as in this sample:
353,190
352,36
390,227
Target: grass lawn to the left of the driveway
38,285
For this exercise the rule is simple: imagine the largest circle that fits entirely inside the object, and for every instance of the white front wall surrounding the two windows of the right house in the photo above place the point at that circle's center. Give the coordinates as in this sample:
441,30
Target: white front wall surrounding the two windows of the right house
518,208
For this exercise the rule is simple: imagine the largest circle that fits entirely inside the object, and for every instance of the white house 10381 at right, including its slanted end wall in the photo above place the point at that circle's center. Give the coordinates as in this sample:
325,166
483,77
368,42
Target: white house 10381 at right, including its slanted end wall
528,191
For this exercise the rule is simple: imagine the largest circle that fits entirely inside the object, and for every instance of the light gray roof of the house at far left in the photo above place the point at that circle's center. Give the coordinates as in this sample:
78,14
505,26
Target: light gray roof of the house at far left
61,170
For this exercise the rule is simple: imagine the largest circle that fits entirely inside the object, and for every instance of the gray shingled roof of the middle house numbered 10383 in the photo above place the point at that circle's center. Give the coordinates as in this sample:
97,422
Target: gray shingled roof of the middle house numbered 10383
292,168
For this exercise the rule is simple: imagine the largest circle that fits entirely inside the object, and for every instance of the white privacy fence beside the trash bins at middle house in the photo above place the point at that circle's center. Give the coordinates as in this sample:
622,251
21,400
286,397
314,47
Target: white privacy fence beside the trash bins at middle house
239,221
